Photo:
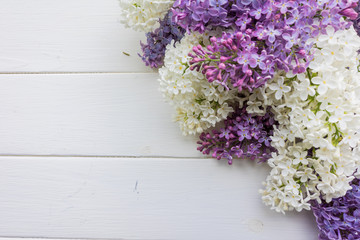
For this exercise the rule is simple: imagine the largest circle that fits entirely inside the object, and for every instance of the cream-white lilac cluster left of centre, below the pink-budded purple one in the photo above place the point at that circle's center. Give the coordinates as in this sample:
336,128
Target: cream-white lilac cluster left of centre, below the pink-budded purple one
199,104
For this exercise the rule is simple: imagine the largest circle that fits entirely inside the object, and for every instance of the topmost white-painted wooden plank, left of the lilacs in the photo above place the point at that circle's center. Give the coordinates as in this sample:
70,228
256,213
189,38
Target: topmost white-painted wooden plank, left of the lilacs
66,36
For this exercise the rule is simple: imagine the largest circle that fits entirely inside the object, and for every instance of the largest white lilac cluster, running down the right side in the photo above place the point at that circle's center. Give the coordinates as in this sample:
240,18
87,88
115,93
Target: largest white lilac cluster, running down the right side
317,139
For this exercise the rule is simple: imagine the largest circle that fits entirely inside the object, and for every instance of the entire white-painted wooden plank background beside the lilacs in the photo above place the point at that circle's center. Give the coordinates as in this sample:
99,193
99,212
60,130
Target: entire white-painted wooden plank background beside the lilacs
89,150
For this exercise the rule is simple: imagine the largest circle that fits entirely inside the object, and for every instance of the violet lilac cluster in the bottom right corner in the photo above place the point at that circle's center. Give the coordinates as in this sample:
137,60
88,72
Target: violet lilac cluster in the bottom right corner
340,219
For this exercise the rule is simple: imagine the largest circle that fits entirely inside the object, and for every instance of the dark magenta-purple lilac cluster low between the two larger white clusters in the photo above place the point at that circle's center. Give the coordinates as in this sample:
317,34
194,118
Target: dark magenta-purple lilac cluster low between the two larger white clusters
243,136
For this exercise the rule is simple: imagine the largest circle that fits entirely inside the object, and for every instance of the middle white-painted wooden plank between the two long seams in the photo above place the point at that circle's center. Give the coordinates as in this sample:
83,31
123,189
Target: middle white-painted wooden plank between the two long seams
88,114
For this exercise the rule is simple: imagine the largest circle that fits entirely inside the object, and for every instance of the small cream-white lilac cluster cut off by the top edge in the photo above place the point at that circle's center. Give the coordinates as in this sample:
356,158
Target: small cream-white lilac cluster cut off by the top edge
144,15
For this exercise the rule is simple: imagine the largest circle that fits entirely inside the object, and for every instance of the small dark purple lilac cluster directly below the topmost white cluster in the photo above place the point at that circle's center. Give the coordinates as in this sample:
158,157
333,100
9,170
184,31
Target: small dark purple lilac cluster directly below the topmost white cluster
154,49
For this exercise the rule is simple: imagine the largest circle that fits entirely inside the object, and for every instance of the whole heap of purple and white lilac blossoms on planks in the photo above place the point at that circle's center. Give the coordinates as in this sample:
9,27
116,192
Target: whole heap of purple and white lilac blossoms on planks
270,80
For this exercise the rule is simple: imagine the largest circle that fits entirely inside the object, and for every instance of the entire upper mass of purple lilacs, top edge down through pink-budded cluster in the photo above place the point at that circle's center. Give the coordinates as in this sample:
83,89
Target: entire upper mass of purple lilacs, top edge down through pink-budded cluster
270,35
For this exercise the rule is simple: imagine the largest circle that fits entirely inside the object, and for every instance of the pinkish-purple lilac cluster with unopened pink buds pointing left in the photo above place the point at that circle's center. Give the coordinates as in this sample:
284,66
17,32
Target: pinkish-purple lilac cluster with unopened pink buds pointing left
234,61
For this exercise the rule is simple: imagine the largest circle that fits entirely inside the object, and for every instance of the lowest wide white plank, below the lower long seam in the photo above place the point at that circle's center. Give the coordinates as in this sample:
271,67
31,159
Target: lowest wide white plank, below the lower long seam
141,199
